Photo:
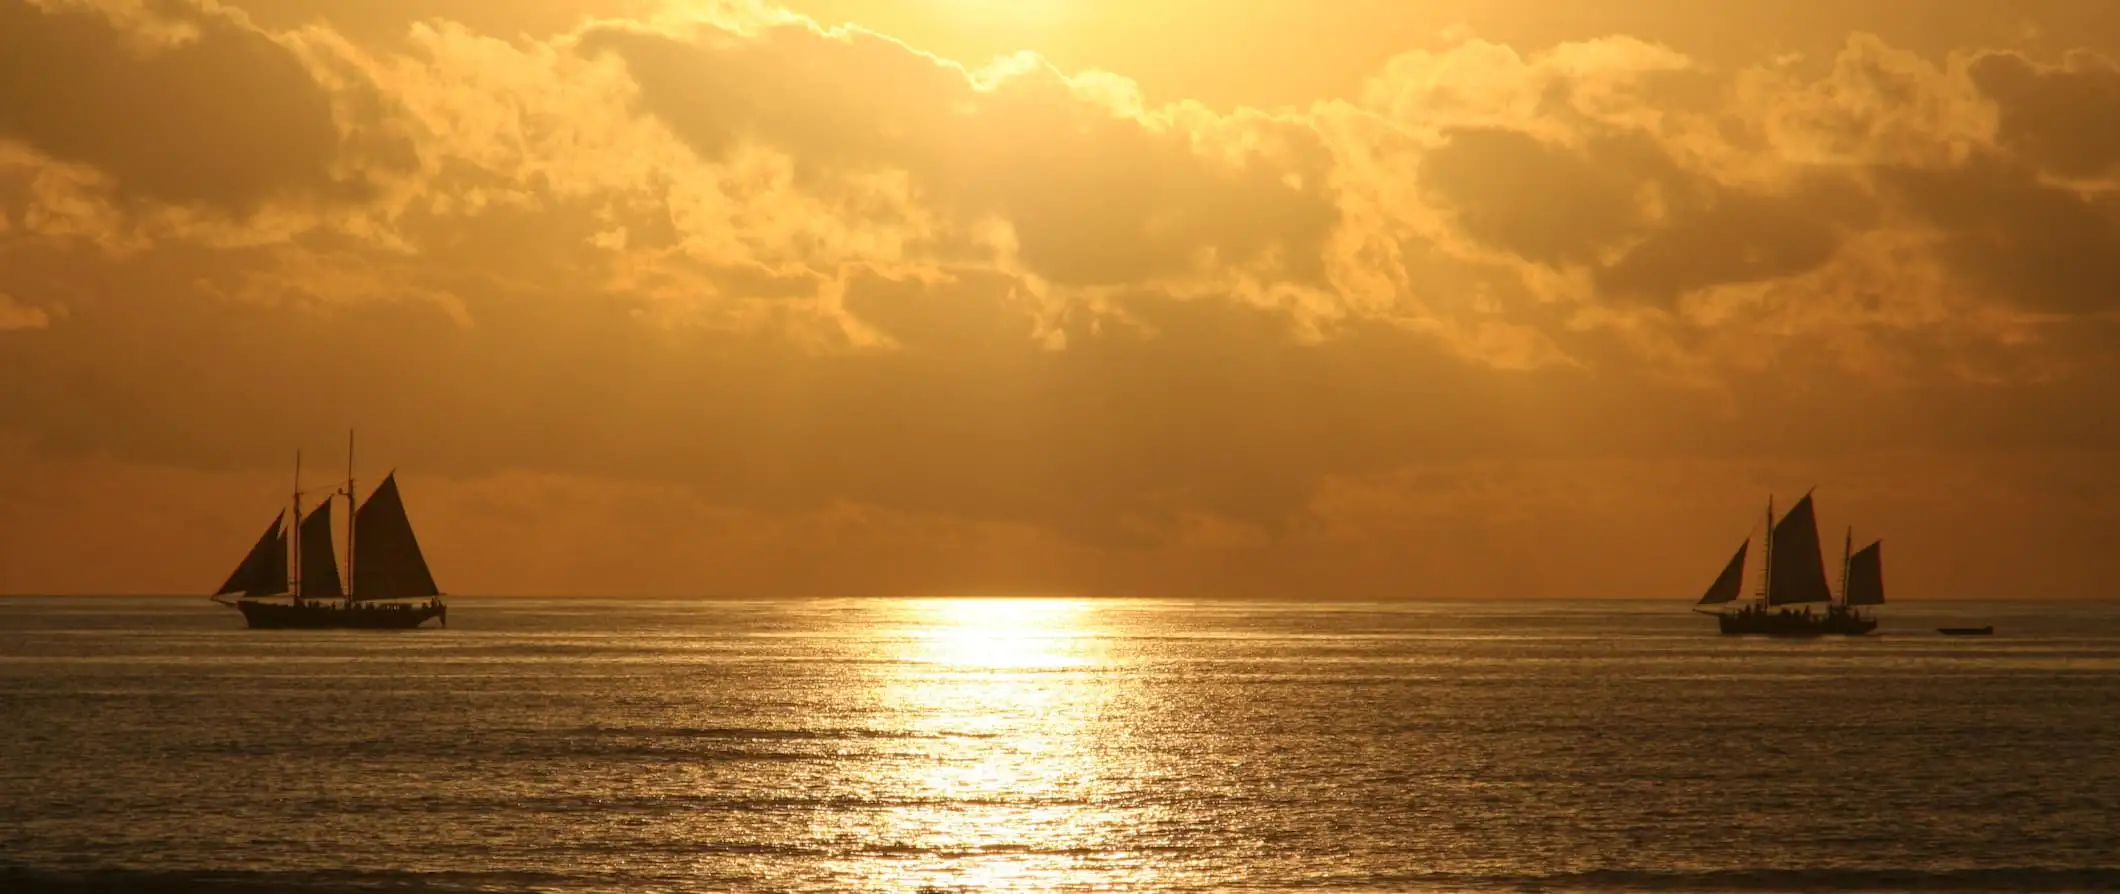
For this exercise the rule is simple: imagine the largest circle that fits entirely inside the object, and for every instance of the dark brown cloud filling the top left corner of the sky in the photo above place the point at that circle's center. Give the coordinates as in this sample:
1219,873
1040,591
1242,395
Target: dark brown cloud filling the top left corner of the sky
226,118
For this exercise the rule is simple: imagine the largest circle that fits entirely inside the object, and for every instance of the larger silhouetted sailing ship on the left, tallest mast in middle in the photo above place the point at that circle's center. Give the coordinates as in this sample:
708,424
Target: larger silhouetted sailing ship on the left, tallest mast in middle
296,582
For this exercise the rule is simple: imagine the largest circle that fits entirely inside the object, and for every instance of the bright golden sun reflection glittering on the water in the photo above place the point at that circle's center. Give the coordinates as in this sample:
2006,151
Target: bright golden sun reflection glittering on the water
1006,776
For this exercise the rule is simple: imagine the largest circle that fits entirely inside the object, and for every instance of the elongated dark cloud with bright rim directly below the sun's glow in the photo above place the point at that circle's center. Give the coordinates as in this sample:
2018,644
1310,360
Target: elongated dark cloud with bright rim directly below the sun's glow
1095,196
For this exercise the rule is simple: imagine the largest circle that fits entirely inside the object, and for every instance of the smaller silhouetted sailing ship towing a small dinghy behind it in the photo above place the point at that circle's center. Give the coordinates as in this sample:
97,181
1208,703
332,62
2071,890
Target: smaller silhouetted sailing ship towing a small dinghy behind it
1792,579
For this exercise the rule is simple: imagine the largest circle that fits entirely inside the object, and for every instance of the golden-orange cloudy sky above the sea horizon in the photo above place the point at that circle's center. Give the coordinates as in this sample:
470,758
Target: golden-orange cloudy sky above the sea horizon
1150,298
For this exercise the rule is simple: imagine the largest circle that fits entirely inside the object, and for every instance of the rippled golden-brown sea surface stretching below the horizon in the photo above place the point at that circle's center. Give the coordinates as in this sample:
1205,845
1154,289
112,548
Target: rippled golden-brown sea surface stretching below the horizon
1050,745
